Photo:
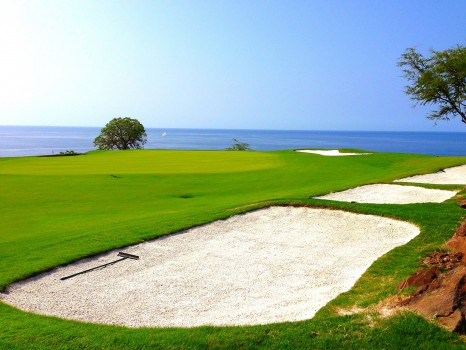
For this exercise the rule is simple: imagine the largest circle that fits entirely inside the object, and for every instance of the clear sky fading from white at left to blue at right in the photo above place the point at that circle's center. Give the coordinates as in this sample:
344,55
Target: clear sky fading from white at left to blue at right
253,64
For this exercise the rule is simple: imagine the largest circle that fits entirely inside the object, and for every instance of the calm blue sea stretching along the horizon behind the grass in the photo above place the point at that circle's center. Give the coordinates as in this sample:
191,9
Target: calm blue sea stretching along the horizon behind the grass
28,140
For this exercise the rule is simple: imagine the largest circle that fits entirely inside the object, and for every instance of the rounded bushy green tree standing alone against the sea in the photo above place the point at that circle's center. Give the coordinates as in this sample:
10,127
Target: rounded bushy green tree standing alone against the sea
121,133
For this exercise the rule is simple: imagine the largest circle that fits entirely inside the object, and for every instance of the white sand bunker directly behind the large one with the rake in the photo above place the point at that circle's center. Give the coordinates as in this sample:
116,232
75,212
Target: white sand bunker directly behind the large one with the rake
390,194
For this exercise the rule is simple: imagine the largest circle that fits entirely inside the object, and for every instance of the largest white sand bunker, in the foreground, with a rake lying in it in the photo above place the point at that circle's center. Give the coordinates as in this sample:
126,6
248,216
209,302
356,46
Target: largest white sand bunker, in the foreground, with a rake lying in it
270,265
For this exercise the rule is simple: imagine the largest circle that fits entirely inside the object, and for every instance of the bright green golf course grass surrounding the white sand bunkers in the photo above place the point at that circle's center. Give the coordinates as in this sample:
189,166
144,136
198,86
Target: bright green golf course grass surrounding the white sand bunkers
57,209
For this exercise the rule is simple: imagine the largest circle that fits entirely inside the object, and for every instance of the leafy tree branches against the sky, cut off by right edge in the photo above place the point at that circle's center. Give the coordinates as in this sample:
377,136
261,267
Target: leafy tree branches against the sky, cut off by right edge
439,79
